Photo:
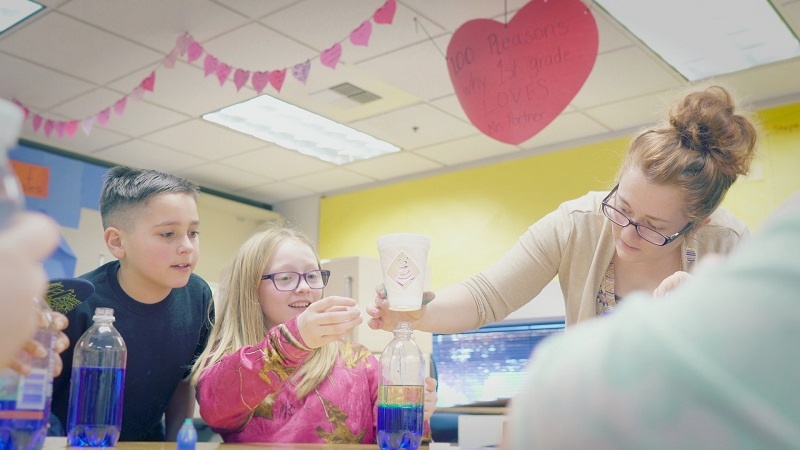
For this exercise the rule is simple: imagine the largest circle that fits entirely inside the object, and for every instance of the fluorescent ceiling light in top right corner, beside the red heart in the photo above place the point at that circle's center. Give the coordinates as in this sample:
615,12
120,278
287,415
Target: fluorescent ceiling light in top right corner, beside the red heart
705,38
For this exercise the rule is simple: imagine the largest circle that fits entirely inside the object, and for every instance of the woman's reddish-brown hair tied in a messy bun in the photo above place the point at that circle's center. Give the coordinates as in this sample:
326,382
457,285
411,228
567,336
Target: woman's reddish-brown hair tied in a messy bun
702,148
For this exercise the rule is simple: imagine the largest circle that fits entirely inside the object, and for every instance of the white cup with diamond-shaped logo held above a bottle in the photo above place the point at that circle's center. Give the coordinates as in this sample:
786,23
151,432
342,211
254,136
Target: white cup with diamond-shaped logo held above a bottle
404,257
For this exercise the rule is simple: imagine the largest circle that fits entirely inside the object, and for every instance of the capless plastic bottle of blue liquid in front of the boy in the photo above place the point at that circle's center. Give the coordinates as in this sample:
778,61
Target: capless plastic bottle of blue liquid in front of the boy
94,418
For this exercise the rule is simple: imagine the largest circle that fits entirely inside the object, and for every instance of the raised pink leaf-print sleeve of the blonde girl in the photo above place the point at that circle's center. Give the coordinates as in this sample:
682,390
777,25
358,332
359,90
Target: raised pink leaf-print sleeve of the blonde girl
229,391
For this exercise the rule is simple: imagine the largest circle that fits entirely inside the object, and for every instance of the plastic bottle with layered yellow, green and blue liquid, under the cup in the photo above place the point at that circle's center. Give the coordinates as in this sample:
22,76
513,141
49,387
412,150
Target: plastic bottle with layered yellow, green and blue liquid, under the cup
401,392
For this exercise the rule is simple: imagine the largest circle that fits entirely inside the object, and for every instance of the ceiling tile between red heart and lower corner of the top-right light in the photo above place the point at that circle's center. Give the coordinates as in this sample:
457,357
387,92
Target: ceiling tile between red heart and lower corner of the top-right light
623,74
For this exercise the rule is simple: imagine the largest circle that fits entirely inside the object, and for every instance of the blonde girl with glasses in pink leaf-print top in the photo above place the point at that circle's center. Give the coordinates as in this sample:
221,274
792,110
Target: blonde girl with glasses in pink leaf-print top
276,368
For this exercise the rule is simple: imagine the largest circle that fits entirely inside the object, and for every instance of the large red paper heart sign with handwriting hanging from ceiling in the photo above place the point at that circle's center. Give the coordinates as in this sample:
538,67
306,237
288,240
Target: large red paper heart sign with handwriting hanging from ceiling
514,80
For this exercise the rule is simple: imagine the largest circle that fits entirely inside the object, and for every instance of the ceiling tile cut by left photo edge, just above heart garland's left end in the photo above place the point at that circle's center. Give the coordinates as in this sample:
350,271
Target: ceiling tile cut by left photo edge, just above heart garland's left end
36,86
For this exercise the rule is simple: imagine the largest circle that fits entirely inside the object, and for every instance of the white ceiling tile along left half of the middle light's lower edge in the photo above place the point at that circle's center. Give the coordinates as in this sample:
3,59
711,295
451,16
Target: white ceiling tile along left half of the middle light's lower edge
204,139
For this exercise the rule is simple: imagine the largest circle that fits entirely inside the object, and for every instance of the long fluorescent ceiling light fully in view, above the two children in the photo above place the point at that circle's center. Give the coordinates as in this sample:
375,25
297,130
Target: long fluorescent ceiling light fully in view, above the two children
289,126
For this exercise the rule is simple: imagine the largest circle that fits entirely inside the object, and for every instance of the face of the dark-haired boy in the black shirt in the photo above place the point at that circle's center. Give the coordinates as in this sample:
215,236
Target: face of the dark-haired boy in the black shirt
161,246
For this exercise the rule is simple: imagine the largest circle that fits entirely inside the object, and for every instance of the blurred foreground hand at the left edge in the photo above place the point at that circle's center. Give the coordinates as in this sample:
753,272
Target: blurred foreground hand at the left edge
29,239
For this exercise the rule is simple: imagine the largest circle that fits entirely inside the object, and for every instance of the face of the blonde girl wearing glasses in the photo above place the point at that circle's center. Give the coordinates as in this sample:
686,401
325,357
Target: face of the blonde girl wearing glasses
280,306
